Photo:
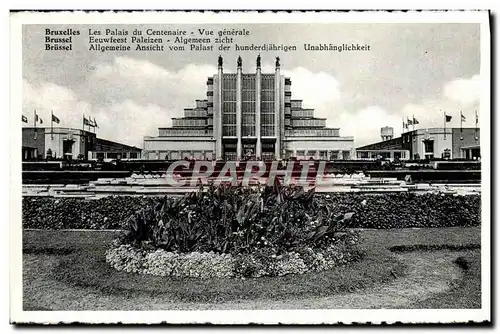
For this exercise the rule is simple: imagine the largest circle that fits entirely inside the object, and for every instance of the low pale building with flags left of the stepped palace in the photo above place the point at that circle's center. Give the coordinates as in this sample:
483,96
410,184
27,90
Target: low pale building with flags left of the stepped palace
72,144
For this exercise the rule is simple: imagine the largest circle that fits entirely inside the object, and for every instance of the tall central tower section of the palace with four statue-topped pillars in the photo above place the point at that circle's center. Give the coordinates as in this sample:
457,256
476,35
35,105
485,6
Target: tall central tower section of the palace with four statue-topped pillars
247,112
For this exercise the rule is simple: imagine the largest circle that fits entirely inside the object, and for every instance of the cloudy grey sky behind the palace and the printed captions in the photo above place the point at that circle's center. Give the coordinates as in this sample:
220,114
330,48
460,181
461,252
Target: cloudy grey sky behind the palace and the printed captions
411,69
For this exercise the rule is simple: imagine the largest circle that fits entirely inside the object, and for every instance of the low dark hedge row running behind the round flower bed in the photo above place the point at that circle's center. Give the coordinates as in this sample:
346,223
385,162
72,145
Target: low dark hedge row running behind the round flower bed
398,210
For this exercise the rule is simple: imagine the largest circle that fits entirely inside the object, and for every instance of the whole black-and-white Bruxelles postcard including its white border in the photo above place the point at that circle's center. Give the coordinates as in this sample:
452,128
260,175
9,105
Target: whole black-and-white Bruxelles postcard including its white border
250,167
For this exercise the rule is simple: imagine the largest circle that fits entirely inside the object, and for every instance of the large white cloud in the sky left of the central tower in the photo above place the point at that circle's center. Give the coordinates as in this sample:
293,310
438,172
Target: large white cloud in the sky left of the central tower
130,98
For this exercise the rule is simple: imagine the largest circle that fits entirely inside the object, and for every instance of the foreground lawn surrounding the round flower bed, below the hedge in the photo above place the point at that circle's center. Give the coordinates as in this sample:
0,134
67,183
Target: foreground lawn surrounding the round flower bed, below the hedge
67,264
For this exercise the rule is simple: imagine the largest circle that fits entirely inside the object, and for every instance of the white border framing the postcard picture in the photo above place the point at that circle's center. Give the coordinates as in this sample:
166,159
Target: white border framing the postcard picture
17,315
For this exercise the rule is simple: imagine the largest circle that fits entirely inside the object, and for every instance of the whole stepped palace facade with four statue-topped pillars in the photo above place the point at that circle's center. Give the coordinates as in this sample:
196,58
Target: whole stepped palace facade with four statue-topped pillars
248,116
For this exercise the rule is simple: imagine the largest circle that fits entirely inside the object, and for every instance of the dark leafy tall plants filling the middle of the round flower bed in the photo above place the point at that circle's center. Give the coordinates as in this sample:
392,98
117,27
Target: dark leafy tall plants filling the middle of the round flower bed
237,220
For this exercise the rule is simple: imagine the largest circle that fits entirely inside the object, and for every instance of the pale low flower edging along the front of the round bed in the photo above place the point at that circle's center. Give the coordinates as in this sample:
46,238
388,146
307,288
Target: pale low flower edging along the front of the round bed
206,265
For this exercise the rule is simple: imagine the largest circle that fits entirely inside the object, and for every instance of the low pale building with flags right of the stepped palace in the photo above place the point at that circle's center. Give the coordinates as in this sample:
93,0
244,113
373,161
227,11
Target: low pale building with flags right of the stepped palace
451,143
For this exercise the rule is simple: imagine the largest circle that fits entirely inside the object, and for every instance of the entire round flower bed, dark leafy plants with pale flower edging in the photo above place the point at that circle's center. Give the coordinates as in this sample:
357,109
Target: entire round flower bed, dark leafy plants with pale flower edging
236,232
